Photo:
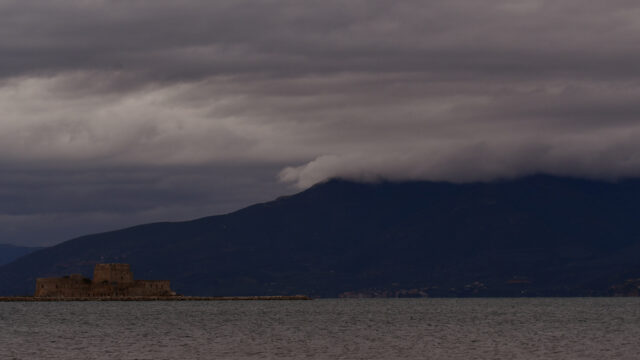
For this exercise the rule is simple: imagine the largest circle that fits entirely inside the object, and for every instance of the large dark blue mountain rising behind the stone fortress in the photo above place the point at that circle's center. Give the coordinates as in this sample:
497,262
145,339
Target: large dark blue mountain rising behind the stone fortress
534,236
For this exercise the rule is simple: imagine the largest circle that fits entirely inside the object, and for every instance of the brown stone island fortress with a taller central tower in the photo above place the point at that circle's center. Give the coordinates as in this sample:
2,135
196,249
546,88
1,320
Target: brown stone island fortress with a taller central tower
109,280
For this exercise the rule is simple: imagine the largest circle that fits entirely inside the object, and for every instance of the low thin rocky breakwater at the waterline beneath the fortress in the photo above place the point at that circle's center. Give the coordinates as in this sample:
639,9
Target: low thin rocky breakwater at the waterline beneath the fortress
152,298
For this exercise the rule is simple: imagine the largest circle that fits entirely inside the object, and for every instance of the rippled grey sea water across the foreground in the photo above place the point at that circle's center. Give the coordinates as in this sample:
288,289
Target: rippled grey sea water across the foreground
586,328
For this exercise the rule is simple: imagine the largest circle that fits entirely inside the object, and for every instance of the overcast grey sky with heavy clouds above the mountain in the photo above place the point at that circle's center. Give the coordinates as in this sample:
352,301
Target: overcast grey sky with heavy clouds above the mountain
117,113
